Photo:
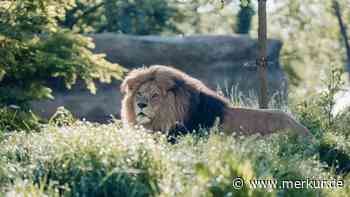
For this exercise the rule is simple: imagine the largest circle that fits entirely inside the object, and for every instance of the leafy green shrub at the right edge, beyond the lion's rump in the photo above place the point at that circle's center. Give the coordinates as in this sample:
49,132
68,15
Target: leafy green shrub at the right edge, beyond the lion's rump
332,129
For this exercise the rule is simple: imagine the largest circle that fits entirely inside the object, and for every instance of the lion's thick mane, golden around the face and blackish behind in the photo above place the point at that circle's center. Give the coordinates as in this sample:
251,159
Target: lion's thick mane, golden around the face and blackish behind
195,105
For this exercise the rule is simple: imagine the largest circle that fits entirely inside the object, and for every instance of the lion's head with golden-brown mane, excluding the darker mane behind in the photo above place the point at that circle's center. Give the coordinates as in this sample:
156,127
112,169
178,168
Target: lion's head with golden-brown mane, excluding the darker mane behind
156,98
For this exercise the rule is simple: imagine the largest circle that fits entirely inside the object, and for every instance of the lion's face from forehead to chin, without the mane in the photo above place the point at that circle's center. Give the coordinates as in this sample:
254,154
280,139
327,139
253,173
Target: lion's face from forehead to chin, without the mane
148,100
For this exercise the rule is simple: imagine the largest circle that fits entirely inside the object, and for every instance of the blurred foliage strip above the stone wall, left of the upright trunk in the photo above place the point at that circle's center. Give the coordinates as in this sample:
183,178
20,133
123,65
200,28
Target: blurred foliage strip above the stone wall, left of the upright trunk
156,17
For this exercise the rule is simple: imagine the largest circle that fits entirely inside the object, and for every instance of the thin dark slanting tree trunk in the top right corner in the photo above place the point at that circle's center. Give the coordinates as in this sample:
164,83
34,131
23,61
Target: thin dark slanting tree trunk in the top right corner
343,32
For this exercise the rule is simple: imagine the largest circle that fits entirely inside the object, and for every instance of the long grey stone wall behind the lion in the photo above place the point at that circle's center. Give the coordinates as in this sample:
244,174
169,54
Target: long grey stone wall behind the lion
219,61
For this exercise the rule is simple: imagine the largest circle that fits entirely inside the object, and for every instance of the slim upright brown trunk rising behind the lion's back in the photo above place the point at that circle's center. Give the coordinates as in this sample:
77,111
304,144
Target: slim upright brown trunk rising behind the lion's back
262,57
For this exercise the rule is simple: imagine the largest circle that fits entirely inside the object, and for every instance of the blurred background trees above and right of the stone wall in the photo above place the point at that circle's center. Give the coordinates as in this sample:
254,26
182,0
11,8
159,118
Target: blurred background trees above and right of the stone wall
297,23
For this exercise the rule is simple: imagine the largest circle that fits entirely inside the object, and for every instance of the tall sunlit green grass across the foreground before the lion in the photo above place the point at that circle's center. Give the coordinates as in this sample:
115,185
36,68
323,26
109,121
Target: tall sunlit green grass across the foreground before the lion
86,159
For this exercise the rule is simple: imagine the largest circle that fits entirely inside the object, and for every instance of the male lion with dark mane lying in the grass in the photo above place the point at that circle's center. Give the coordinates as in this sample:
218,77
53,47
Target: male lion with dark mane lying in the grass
162,98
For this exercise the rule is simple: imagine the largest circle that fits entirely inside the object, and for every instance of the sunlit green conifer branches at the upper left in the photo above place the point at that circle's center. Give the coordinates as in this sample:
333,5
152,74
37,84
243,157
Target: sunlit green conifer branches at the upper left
35,50
